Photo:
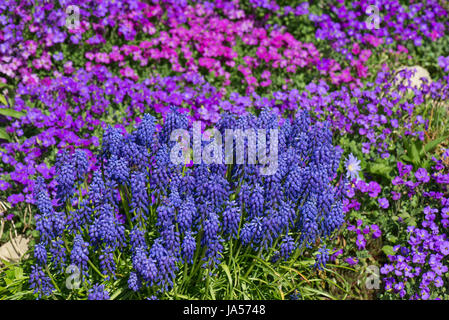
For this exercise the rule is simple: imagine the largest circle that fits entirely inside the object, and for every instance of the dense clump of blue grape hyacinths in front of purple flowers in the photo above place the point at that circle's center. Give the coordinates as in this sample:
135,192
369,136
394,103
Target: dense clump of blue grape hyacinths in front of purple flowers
140,217
